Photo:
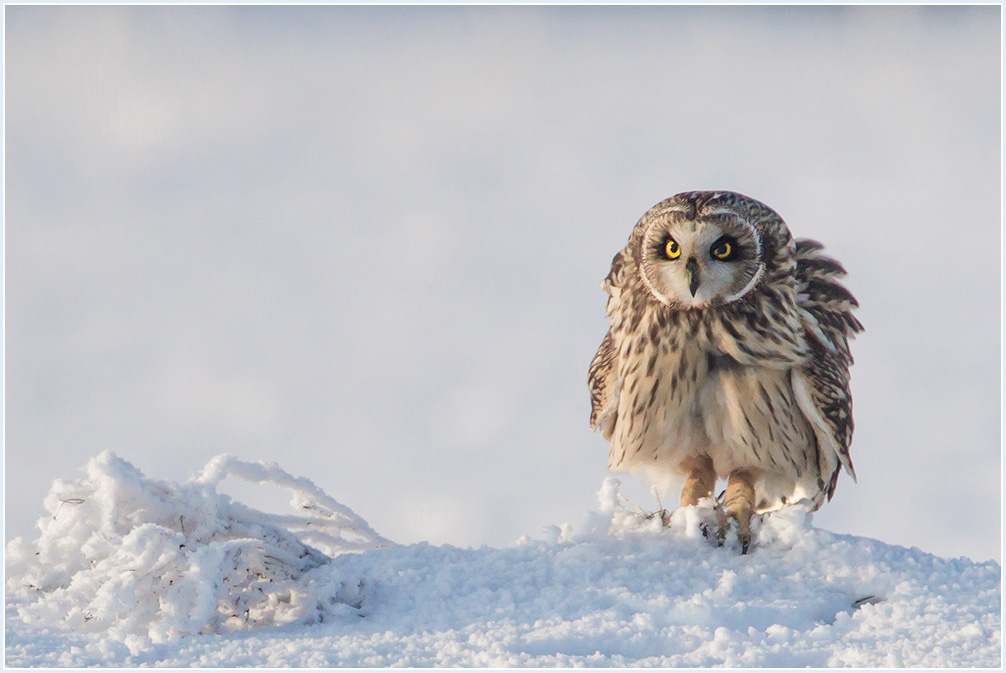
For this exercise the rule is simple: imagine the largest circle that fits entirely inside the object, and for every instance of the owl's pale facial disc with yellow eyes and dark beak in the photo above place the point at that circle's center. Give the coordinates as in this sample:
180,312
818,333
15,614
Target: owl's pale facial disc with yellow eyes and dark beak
709,261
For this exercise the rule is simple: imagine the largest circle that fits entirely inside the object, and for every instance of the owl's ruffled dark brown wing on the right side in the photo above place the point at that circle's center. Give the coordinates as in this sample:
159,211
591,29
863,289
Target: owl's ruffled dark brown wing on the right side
822,385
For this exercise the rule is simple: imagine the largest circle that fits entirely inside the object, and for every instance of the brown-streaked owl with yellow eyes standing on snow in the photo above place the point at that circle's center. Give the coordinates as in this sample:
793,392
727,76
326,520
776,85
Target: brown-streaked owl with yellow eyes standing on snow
728,358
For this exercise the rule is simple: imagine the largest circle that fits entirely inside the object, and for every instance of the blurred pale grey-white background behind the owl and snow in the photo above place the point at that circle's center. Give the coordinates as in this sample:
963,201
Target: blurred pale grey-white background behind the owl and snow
366,243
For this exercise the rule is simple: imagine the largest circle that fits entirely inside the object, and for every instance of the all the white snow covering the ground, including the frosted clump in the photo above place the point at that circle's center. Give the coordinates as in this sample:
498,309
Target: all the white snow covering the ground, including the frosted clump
130,571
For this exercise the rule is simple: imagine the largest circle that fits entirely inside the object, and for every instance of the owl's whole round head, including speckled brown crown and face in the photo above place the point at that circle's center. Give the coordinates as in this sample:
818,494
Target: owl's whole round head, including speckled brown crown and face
705,249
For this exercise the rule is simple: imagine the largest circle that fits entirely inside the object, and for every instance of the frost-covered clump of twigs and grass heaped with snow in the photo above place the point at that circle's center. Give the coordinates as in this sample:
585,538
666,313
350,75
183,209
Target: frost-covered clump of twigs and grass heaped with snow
142,559
